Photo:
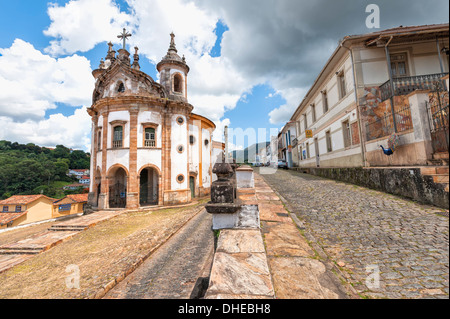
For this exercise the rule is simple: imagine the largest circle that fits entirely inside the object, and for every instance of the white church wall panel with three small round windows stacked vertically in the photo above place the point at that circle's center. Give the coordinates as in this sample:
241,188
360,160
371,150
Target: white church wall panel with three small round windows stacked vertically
179,161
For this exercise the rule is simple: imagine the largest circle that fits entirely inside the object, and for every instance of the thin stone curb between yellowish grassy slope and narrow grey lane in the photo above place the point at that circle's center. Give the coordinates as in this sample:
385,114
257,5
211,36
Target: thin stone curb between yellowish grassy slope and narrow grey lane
103,291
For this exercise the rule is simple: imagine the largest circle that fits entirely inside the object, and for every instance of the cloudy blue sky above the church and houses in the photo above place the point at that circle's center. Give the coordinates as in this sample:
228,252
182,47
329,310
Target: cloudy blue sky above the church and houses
251,61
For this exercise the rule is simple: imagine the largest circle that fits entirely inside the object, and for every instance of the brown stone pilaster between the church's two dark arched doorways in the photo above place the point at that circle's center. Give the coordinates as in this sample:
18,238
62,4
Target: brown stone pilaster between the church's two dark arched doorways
133,181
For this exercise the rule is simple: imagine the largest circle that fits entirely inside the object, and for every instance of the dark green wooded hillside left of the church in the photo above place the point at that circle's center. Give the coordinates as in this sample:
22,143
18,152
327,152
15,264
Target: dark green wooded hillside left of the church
31,169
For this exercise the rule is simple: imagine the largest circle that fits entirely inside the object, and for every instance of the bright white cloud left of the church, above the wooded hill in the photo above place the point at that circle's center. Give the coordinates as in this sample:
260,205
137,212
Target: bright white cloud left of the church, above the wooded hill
33,82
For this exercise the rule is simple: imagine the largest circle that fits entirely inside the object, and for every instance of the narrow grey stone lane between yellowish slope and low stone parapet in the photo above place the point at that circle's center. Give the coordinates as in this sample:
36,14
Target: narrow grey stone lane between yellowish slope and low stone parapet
176,268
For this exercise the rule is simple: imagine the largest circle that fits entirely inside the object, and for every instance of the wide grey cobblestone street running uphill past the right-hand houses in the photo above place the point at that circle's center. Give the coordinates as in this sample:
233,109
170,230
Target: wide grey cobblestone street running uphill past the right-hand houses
364,231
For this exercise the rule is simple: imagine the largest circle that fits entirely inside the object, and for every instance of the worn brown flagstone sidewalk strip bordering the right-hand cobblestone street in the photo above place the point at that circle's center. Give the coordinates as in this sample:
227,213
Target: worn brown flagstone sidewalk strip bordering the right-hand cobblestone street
296,271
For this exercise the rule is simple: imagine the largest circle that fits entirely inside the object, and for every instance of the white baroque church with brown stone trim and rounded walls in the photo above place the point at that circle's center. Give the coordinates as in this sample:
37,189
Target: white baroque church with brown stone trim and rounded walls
148,147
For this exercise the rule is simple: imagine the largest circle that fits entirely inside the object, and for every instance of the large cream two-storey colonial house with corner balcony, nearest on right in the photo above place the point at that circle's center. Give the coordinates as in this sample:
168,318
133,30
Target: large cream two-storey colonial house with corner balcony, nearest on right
374,85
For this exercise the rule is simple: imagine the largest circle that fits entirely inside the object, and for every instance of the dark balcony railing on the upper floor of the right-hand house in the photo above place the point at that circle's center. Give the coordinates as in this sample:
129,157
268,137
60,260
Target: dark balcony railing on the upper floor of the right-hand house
407,84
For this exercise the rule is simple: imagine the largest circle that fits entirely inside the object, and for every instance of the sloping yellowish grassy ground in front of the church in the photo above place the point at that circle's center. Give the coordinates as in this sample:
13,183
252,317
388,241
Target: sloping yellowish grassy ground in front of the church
102,253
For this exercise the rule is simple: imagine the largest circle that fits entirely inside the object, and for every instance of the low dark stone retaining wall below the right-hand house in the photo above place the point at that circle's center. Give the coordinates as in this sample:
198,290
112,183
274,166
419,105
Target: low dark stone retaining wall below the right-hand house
406,182
